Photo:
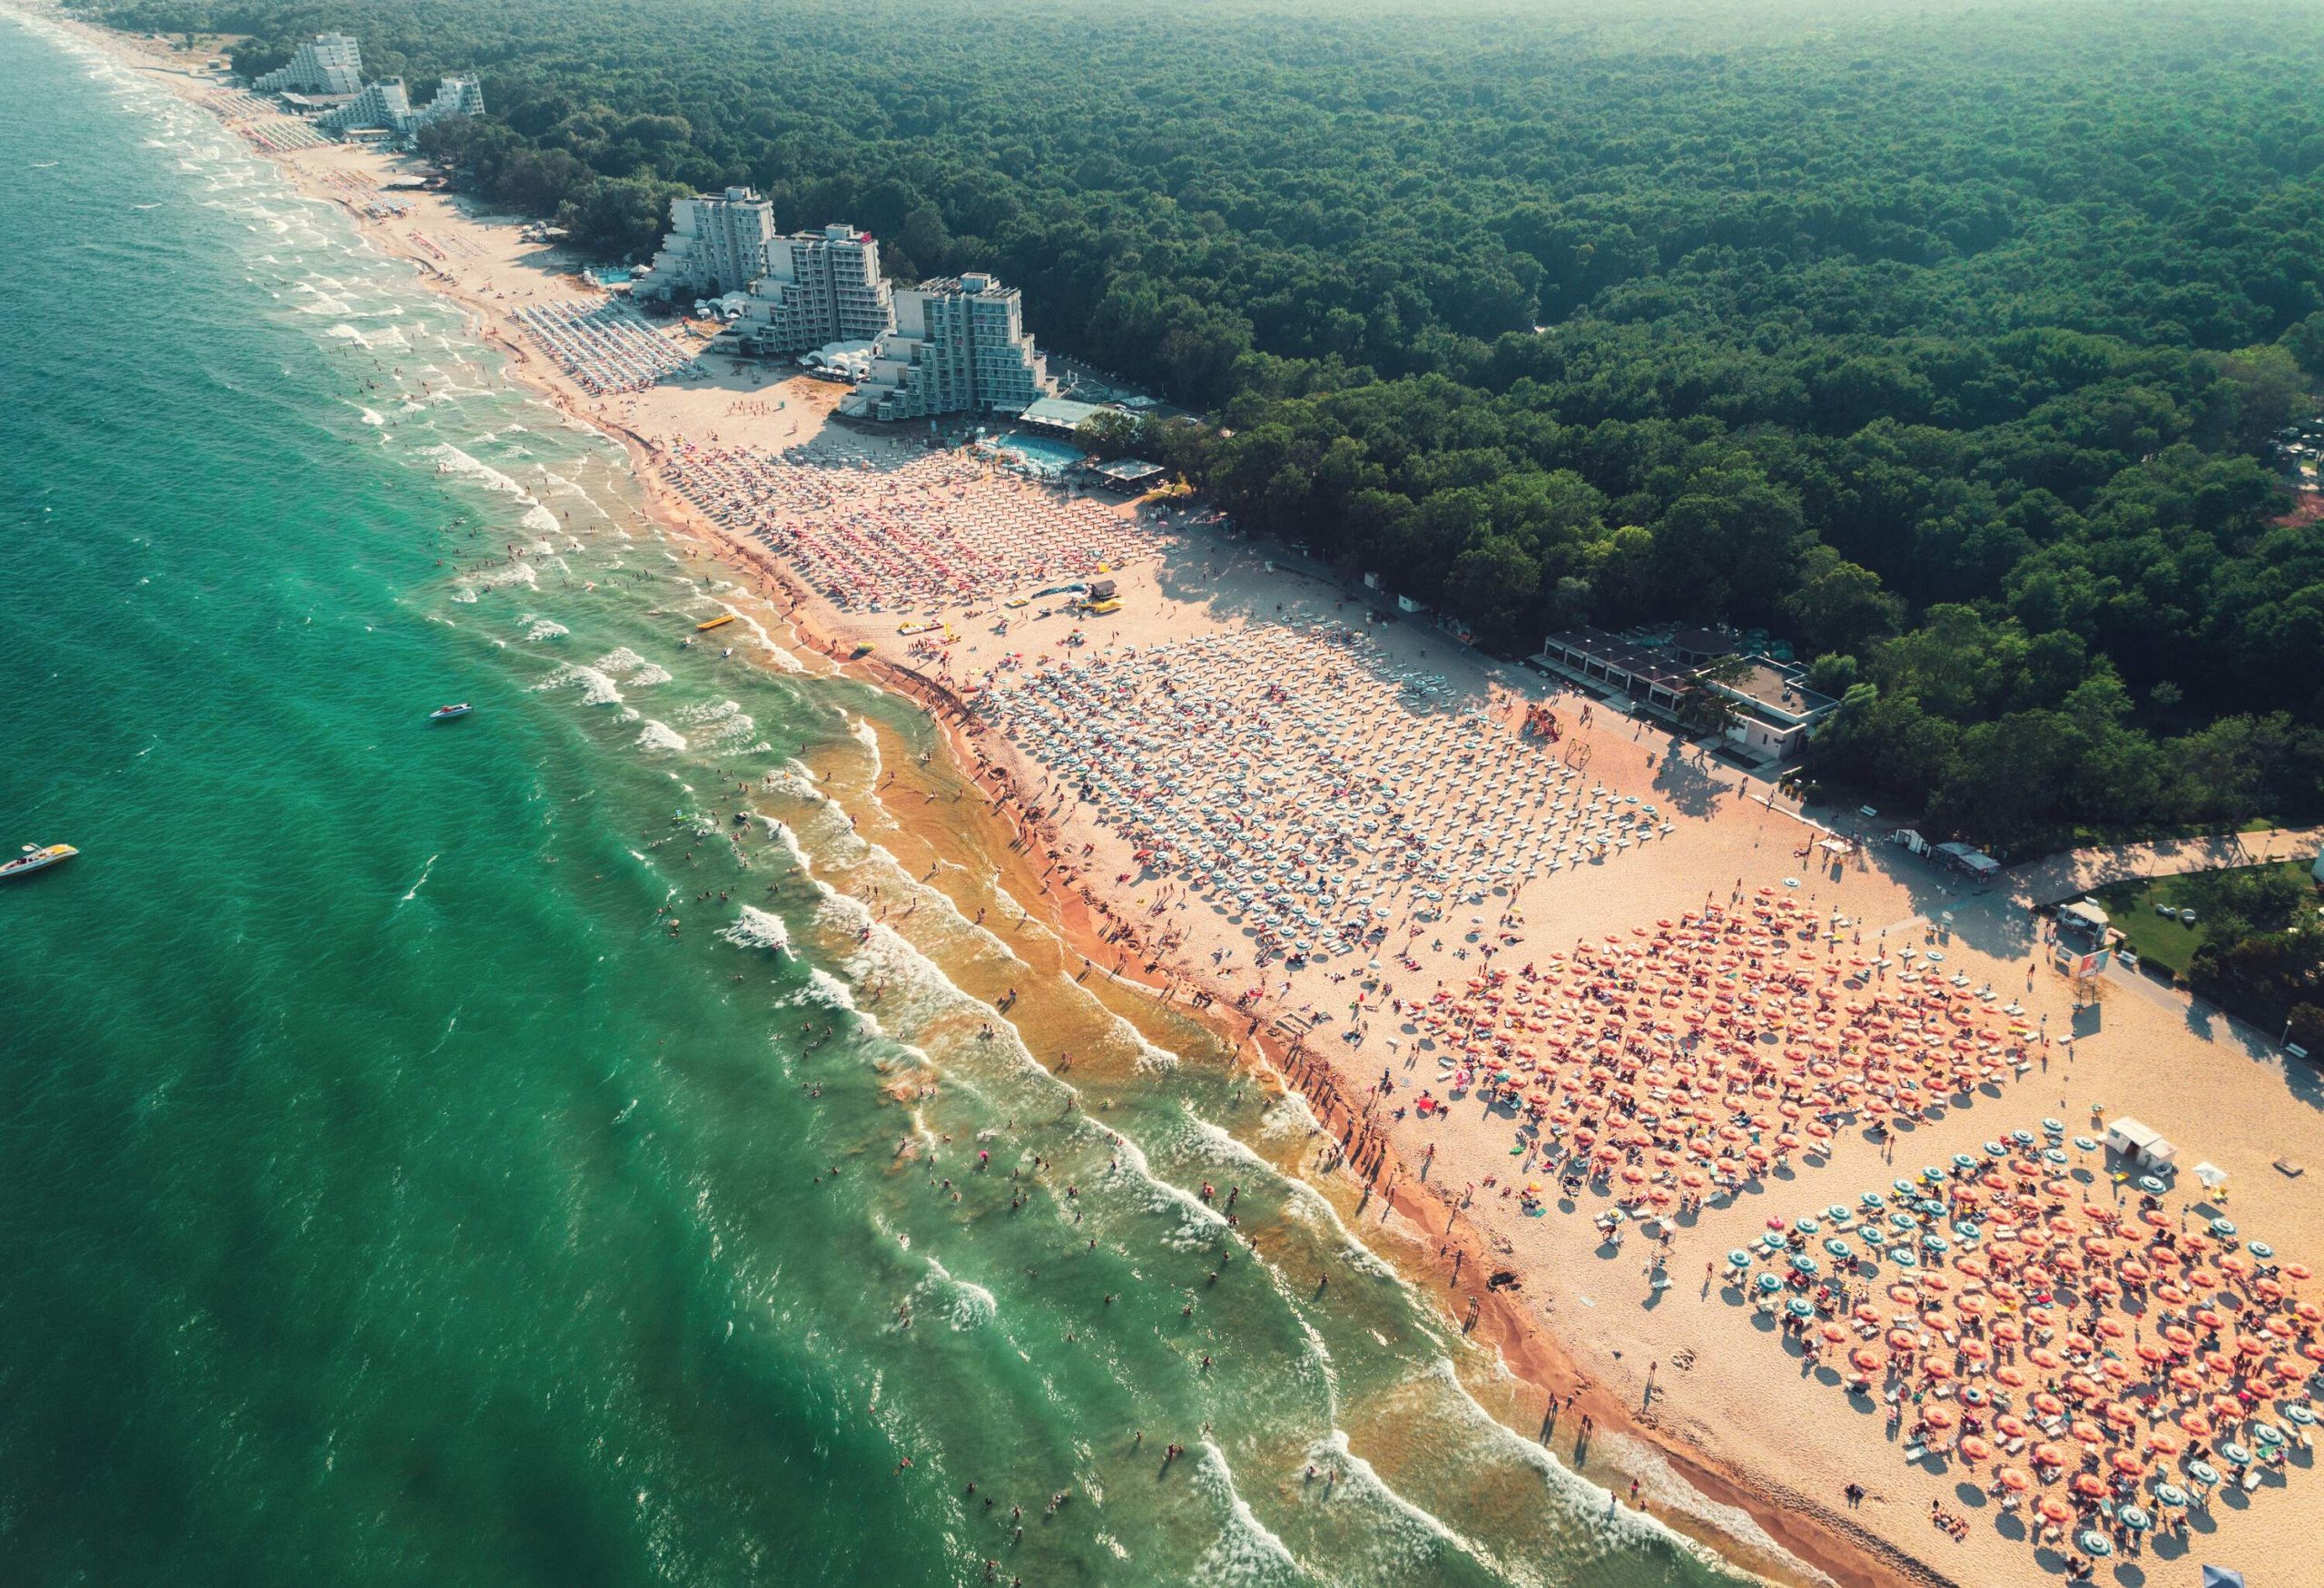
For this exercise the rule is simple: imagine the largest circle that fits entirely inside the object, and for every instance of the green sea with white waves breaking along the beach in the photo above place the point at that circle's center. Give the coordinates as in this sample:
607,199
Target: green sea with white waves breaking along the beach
591,1140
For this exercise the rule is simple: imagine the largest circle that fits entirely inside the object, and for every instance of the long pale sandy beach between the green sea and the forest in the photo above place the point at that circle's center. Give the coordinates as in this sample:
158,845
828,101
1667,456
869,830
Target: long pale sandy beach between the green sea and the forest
1245,727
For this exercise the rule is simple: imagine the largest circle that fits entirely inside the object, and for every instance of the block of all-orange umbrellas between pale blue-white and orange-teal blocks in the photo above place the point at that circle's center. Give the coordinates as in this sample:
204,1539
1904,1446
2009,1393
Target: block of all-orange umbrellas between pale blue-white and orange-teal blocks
1693,1057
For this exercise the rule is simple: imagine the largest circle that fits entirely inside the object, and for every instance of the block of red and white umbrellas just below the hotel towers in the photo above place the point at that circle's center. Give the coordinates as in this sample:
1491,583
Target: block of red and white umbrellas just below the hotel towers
884,529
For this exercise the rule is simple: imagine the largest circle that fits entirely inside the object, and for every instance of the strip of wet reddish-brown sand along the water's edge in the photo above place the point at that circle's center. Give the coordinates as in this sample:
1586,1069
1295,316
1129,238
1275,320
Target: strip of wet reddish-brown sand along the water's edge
1075,910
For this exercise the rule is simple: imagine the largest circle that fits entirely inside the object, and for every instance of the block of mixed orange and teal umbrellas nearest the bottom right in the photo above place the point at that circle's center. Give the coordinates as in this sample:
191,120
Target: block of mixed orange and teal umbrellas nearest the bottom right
2086,1352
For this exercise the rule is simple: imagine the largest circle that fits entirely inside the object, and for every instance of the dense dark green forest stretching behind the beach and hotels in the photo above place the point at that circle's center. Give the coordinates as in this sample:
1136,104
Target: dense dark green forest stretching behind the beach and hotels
1944,341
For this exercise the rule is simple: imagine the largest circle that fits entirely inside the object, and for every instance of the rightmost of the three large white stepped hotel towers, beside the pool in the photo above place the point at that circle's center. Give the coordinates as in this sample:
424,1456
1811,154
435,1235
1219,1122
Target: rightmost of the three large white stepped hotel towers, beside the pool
959,348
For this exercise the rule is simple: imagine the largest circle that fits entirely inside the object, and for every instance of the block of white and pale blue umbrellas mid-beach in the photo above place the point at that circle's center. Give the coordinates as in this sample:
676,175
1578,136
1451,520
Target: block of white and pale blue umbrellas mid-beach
1307,789
